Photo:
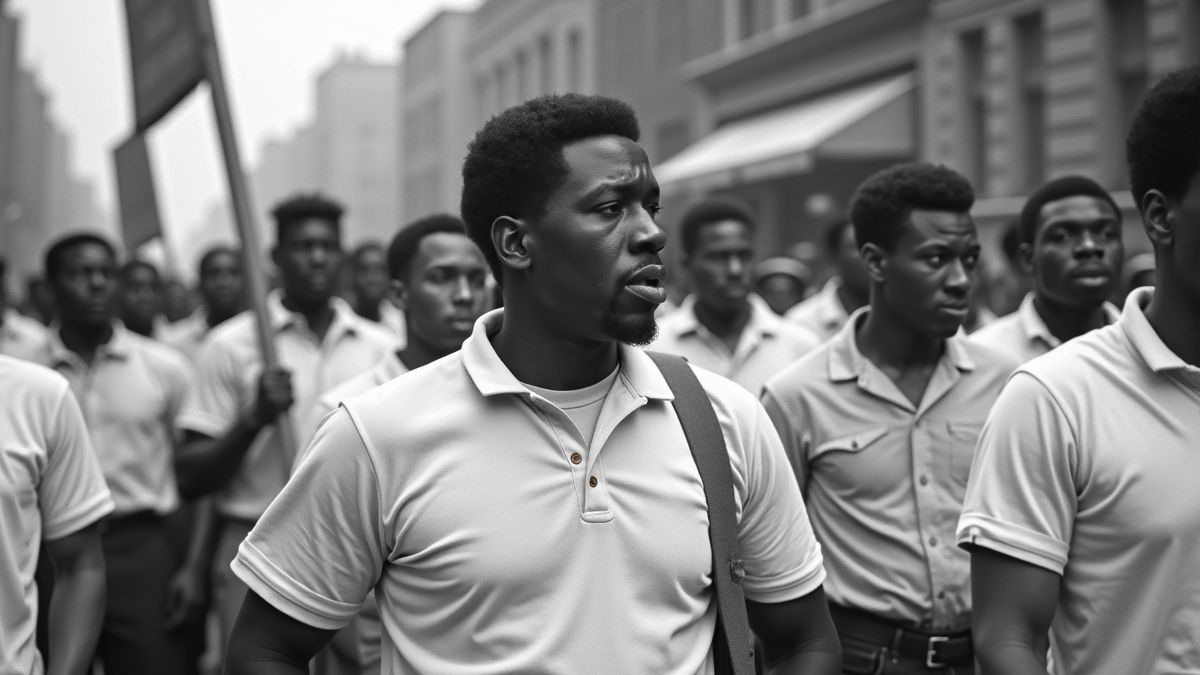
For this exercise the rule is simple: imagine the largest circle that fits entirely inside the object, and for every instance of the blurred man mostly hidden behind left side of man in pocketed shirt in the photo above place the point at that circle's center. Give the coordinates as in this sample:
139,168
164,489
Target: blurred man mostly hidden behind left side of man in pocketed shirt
826,313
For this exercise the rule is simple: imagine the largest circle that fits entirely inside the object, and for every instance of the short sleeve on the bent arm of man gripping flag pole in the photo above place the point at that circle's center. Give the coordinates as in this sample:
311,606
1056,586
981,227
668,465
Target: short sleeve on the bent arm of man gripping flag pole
214,399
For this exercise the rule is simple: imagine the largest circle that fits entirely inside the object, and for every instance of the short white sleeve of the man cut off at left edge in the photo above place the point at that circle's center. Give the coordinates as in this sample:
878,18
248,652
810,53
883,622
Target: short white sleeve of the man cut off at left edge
73,493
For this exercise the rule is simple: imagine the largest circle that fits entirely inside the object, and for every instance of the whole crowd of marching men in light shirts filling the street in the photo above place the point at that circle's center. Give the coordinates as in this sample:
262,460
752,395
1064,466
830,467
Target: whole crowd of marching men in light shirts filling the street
470,463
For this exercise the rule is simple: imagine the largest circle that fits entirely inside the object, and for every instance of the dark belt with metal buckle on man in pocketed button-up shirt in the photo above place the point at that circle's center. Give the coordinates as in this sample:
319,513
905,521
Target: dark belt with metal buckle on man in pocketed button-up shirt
938,650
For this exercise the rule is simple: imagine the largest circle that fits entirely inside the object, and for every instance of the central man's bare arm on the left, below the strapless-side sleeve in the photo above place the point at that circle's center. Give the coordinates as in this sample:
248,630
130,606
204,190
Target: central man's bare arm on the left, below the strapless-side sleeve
267,642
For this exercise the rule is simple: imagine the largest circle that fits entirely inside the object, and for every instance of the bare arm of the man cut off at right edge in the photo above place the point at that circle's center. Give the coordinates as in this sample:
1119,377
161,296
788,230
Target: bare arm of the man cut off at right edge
1013,606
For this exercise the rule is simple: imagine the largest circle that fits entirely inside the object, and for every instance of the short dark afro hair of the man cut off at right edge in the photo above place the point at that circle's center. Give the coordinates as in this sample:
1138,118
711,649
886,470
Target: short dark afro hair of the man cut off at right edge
1163,146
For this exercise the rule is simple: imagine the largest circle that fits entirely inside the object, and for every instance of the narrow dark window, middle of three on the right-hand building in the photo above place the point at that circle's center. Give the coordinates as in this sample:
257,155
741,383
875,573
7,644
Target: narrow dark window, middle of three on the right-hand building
1031,100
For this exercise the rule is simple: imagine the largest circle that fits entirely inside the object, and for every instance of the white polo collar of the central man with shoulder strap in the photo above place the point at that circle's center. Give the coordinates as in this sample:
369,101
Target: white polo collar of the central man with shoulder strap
493,378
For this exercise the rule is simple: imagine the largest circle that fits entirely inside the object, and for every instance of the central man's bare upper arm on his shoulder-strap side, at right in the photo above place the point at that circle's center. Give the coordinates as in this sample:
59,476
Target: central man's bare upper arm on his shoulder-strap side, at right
797,636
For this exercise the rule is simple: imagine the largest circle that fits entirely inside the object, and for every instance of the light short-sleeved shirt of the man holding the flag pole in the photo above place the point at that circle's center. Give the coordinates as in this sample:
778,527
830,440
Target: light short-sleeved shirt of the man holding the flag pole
229,368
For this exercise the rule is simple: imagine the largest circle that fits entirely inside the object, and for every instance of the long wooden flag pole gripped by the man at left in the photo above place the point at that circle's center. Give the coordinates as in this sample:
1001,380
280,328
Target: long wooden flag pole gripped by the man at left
243,213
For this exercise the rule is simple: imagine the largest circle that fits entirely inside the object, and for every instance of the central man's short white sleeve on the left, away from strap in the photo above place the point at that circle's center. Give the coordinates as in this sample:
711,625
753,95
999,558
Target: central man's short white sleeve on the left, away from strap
319,551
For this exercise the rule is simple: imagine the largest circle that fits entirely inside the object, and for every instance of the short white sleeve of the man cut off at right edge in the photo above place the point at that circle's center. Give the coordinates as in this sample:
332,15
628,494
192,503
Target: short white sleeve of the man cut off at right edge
1022,497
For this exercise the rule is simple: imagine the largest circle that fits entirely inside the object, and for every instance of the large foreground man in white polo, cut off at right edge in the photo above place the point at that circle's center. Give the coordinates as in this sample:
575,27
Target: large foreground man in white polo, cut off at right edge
1083,516
